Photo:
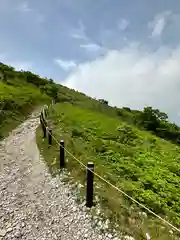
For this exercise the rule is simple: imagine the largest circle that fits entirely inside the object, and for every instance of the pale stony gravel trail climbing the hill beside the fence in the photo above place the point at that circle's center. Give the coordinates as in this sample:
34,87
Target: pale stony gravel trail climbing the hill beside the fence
33,204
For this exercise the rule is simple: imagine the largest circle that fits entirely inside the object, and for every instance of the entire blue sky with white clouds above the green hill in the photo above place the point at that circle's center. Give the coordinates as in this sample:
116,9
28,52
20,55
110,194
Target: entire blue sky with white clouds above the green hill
127,52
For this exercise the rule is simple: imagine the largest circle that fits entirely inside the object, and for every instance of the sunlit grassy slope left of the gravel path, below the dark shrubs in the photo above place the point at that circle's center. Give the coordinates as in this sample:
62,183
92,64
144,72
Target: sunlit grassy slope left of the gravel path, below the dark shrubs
16,101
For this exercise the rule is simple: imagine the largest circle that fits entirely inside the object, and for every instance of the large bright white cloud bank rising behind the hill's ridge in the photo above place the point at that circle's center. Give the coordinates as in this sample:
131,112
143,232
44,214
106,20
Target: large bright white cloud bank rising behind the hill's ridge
132,77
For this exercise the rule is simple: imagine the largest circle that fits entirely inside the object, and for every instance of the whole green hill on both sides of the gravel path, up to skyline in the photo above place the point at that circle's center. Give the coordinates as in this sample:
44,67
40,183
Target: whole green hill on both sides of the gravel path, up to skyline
135,150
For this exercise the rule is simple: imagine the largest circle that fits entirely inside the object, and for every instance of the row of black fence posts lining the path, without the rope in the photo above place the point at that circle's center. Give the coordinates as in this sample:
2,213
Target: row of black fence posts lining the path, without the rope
62,163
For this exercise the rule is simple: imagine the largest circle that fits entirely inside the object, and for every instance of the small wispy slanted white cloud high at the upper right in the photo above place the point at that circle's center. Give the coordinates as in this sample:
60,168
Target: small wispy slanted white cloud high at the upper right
159,23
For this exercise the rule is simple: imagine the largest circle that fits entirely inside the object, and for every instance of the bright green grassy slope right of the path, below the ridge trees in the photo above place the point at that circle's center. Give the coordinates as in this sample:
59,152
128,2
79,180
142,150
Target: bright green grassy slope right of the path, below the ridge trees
141,164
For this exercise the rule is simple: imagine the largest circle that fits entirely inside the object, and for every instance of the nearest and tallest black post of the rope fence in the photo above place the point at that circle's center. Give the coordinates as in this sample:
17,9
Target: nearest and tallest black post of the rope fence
89,187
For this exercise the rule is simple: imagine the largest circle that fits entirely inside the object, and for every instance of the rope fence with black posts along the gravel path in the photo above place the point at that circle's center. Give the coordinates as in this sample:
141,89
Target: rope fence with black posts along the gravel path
90,172
